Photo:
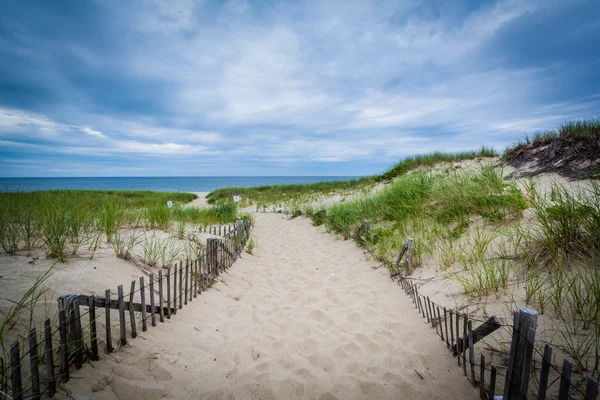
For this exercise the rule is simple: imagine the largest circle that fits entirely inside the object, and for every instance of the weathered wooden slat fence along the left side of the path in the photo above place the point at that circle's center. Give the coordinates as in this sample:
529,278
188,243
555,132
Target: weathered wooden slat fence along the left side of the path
37,363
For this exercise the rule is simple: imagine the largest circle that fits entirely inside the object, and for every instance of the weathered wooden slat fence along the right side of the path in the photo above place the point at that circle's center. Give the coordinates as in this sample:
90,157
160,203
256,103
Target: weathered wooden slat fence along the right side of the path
456,329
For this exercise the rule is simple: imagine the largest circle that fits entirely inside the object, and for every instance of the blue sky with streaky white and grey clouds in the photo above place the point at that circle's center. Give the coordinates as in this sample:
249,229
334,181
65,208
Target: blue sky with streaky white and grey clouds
201,88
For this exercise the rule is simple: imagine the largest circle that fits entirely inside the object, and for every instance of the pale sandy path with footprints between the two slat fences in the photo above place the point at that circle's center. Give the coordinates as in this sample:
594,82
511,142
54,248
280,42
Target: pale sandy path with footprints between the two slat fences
305,317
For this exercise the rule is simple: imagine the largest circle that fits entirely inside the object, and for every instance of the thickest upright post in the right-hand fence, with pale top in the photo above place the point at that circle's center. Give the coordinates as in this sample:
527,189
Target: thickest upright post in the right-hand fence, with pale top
521,352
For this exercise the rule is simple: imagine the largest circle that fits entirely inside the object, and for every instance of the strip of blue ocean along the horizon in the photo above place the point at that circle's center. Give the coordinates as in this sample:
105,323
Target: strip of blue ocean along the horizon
157,184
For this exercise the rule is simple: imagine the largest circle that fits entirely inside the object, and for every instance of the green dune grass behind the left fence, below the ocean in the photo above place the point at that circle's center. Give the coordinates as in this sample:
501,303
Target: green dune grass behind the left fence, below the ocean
62,221
